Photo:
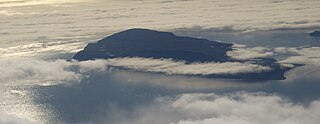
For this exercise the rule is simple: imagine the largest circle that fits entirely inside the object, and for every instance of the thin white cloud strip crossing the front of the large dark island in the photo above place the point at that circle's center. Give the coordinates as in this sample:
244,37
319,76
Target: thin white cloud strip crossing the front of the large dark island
169,66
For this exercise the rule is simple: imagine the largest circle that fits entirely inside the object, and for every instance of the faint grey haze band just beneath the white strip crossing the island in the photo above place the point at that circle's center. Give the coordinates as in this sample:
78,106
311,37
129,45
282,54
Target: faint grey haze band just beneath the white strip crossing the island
181,82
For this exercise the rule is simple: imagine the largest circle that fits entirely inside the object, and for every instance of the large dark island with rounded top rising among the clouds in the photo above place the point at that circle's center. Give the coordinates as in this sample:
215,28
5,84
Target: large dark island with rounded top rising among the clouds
154,44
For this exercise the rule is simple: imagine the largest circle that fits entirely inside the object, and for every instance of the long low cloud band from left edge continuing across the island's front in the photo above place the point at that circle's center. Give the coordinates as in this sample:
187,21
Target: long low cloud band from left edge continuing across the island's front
32,69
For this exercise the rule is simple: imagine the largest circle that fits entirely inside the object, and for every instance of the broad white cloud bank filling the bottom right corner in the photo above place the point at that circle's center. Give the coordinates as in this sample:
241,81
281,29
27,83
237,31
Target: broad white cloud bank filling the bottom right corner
234,108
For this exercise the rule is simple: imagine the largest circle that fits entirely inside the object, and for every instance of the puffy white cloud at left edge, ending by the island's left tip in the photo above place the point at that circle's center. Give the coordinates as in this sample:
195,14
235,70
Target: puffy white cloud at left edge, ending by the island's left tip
36,70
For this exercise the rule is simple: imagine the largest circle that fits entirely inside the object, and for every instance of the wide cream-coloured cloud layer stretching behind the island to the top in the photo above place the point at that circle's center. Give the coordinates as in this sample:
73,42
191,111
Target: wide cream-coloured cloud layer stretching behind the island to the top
101,18
